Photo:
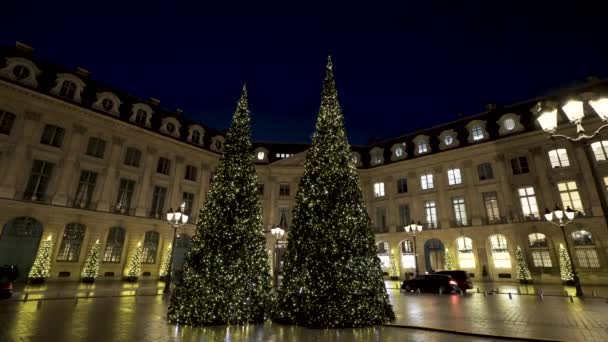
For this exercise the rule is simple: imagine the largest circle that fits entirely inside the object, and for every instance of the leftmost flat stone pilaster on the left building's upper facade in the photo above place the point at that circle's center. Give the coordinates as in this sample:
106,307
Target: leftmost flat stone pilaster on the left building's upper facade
17,160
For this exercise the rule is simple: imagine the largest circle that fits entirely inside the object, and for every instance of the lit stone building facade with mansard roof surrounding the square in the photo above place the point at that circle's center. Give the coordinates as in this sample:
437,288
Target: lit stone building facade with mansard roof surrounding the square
81,161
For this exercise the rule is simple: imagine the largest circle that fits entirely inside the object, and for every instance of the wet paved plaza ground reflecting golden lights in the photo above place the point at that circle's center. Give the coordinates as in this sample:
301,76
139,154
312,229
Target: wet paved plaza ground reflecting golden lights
114,313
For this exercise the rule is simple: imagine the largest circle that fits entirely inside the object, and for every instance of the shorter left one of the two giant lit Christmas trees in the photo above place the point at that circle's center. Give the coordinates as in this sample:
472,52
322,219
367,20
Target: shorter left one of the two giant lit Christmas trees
226,273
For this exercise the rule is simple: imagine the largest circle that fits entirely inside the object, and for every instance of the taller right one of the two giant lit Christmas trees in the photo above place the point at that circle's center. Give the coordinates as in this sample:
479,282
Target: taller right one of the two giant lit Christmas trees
332,274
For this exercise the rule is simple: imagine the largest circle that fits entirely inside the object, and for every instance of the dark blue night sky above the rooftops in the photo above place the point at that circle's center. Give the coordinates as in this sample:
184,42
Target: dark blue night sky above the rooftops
399,65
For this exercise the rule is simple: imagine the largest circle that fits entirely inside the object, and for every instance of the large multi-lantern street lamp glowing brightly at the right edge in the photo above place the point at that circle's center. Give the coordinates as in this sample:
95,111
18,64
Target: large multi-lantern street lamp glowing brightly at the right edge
574,110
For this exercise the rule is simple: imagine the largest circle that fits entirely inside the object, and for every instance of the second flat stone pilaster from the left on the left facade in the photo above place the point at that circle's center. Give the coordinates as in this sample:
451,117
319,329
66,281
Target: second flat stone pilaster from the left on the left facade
69,166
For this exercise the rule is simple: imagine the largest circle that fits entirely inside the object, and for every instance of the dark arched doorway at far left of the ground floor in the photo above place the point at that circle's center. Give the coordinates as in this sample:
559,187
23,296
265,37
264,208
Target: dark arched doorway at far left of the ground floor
19,243
